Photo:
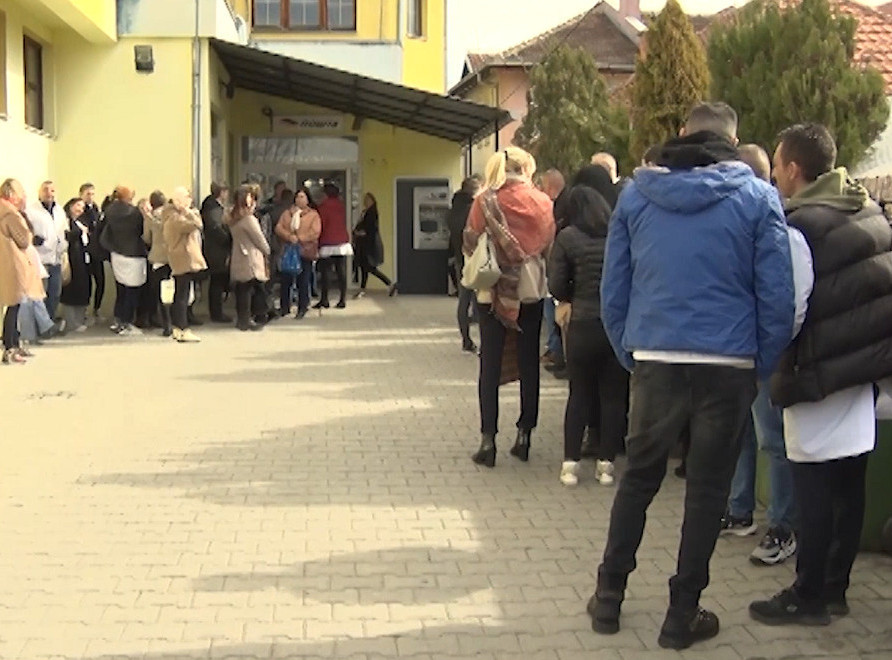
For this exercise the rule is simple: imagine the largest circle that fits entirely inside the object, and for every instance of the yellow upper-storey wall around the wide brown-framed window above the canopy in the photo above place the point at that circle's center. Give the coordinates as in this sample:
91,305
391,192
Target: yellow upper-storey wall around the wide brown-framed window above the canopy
376,20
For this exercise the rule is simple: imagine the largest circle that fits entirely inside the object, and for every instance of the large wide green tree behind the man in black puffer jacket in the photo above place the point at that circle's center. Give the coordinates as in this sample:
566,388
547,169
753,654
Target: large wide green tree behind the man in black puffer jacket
778,67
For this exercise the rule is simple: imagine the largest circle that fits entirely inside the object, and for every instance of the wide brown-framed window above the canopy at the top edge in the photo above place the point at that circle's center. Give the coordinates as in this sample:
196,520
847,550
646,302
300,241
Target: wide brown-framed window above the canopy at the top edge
305,14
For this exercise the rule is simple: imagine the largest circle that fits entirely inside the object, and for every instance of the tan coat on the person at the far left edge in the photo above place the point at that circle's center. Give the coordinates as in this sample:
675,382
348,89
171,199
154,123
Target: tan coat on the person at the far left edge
18,276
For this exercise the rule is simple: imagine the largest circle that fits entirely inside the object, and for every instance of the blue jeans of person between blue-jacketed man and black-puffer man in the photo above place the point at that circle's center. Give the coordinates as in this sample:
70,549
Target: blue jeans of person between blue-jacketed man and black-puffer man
768,423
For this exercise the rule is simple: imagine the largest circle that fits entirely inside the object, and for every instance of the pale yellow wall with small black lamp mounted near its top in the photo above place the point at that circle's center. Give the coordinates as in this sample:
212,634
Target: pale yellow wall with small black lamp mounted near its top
120,126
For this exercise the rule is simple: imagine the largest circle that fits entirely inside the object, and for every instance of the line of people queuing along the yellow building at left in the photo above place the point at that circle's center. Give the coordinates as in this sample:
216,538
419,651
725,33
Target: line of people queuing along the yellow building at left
161,252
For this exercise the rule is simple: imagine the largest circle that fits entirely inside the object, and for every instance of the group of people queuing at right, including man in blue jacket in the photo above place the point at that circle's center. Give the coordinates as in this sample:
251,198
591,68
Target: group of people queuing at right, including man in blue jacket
695,305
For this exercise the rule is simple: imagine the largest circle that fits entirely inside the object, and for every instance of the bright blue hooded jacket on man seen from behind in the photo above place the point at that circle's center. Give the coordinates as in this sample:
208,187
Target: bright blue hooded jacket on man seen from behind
698,260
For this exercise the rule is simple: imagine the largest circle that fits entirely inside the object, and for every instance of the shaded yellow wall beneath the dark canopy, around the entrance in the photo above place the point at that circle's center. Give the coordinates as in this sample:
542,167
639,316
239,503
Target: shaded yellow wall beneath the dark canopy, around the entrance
385,152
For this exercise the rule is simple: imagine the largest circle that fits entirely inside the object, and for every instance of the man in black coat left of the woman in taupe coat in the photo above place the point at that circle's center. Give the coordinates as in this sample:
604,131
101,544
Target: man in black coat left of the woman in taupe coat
217,249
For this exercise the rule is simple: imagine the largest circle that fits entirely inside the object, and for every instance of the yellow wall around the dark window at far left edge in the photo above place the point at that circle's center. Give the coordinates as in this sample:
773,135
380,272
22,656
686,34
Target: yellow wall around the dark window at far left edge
24,152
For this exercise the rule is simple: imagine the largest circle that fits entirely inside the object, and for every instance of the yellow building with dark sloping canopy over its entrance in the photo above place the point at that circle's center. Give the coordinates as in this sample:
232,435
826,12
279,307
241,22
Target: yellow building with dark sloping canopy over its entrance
162,93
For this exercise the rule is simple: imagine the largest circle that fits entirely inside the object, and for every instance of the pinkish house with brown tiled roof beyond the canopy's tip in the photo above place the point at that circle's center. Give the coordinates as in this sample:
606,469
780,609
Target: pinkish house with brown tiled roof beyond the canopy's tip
612,36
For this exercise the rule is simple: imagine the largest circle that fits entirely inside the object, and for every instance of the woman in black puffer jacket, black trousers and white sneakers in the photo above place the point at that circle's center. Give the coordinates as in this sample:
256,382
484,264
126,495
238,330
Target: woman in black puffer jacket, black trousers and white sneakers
598,383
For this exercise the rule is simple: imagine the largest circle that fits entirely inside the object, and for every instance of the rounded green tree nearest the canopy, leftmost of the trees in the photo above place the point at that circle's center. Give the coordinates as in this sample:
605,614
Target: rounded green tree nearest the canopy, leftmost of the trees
568,112
